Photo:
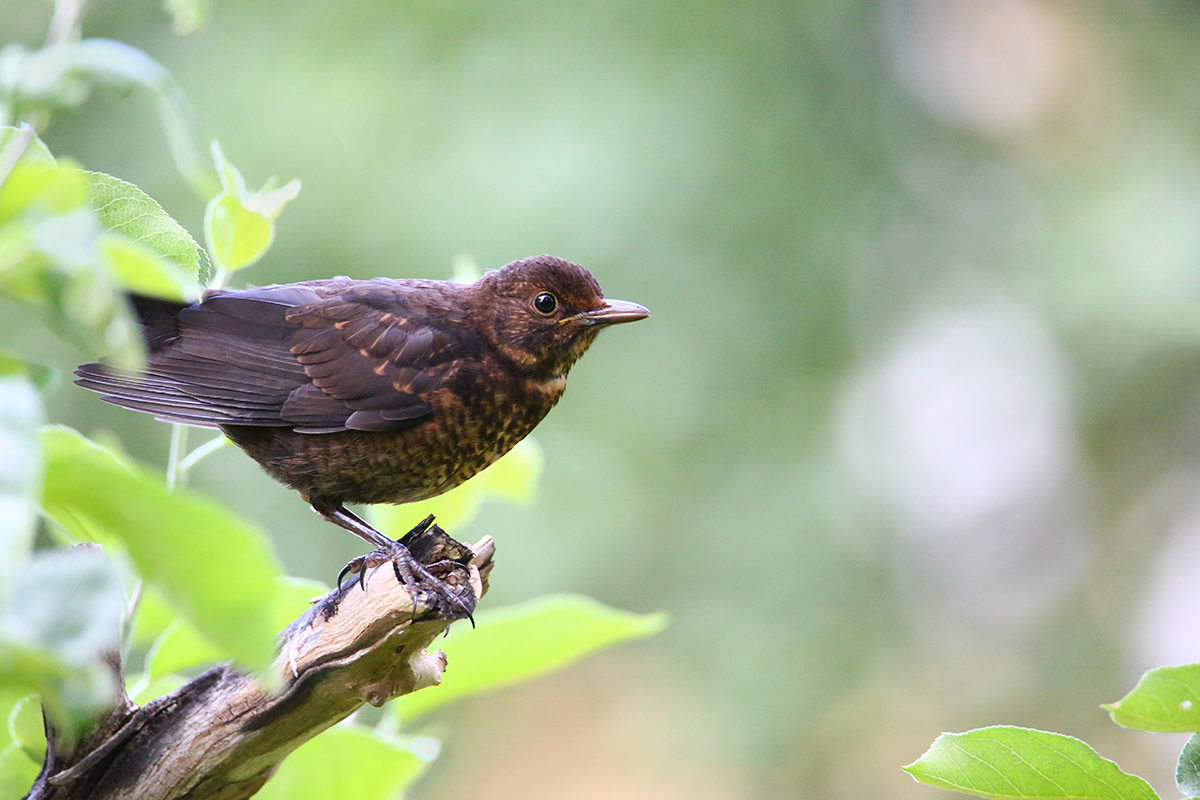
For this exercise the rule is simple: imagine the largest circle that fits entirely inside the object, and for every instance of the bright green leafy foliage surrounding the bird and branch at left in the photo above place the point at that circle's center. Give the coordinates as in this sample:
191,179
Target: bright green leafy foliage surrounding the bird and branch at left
73,244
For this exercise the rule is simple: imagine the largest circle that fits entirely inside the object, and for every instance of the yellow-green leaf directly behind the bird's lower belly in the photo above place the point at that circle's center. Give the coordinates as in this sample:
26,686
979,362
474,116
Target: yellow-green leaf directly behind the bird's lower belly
513,478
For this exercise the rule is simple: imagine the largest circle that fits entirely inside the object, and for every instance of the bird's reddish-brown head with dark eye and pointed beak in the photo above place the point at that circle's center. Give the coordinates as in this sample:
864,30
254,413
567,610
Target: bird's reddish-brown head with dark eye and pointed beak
544,312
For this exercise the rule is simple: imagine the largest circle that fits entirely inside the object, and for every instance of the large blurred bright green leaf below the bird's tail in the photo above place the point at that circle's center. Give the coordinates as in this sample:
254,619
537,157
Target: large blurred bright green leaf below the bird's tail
212,567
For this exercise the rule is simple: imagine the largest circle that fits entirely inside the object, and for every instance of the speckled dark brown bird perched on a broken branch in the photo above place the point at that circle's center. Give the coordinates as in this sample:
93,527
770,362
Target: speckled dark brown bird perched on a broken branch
369,392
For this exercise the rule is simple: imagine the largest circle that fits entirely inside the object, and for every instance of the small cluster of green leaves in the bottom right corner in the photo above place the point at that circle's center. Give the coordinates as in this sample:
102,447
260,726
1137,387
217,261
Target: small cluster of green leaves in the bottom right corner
1006,762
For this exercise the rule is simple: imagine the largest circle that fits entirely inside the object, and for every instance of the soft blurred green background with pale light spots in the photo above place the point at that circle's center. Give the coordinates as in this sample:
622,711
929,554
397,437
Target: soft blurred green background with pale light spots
913,441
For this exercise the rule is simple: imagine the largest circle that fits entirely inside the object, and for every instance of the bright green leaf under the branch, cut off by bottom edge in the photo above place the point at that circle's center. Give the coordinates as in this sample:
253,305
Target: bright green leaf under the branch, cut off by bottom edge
347,761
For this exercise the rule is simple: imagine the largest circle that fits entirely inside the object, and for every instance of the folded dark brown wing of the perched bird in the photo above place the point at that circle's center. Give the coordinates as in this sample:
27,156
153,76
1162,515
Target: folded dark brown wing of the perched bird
289,356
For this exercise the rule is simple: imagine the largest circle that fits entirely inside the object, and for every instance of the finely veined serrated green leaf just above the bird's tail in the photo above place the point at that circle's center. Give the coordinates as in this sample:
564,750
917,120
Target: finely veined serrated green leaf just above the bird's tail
128,210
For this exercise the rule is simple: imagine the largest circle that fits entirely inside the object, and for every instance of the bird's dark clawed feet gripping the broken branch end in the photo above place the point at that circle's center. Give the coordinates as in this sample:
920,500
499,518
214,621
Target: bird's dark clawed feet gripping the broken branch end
418,573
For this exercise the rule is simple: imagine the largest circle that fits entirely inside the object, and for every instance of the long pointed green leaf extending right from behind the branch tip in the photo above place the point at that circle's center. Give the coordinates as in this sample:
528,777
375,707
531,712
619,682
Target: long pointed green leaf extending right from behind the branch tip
525,641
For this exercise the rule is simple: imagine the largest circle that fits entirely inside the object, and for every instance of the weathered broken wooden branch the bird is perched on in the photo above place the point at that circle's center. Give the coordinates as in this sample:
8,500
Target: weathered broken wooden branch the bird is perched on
223,736
